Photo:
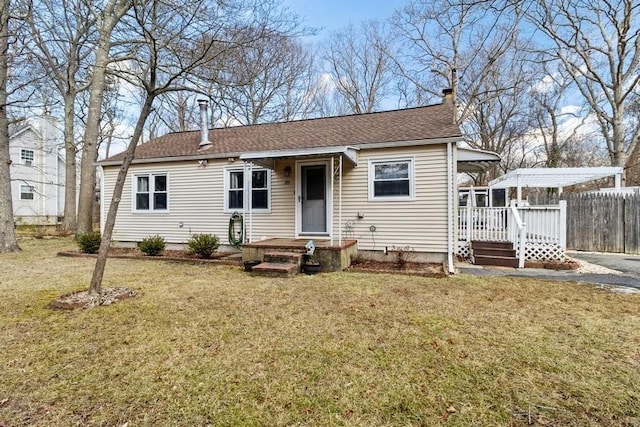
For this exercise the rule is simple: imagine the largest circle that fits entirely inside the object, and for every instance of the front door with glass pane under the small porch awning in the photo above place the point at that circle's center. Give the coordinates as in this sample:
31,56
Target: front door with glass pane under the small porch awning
314,198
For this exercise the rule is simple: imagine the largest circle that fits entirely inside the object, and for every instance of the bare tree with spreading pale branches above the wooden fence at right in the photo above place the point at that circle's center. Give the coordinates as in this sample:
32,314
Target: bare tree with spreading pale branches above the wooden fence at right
598,44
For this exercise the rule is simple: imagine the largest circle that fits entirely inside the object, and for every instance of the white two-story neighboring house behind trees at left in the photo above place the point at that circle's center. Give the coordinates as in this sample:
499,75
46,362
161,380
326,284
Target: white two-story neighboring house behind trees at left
36,149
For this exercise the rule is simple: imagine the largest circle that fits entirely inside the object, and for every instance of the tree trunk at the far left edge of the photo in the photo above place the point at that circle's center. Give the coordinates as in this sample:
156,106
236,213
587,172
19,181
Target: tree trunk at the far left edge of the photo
8,241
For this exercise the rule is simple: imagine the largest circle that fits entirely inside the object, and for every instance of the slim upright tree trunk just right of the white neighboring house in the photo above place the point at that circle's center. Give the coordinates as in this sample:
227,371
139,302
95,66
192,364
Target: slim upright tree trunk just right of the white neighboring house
70,194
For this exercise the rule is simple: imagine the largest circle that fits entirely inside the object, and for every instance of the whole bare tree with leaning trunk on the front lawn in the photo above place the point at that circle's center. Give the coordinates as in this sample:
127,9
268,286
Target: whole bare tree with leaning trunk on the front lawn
169,49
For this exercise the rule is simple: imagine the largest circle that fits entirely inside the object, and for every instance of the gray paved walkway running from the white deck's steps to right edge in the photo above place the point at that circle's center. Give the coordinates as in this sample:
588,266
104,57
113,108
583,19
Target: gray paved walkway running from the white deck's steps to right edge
627,274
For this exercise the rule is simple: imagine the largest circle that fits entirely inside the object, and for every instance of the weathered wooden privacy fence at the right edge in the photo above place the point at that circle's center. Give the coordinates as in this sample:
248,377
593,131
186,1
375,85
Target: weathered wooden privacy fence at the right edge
603,222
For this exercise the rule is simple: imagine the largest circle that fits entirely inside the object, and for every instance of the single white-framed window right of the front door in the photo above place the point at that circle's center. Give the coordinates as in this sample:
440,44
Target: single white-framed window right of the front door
391,179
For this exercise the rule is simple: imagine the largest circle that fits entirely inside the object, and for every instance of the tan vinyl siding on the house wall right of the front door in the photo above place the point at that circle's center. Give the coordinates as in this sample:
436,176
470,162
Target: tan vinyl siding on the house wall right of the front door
420,223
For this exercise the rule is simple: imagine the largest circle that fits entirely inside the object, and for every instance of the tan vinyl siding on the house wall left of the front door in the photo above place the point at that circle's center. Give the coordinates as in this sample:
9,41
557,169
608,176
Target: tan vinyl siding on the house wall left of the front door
196,199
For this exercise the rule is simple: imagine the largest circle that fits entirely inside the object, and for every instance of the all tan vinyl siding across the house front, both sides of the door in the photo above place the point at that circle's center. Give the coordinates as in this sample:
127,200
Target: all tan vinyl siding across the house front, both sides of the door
196,199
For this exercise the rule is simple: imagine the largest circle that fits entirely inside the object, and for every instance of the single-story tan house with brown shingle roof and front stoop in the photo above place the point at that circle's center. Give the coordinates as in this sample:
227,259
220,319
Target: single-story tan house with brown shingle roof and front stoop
382,181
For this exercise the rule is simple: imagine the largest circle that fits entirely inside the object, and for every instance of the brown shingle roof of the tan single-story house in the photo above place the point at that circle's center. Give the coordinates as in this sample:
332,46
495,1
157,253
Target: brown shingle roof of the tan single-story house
413,124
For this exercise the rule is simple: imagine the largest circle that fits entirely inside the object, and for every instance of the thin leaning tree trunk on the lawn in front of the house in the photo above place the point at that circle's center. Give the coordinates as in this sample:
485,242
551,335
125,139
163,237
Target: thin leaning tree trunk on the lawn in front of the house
98,271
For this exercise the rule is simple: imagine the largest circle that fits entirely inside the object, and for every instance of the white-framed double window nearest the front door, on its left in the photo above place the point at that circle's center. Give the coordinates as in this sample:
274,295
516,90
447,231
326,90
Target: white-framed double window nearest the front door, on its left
235,185
